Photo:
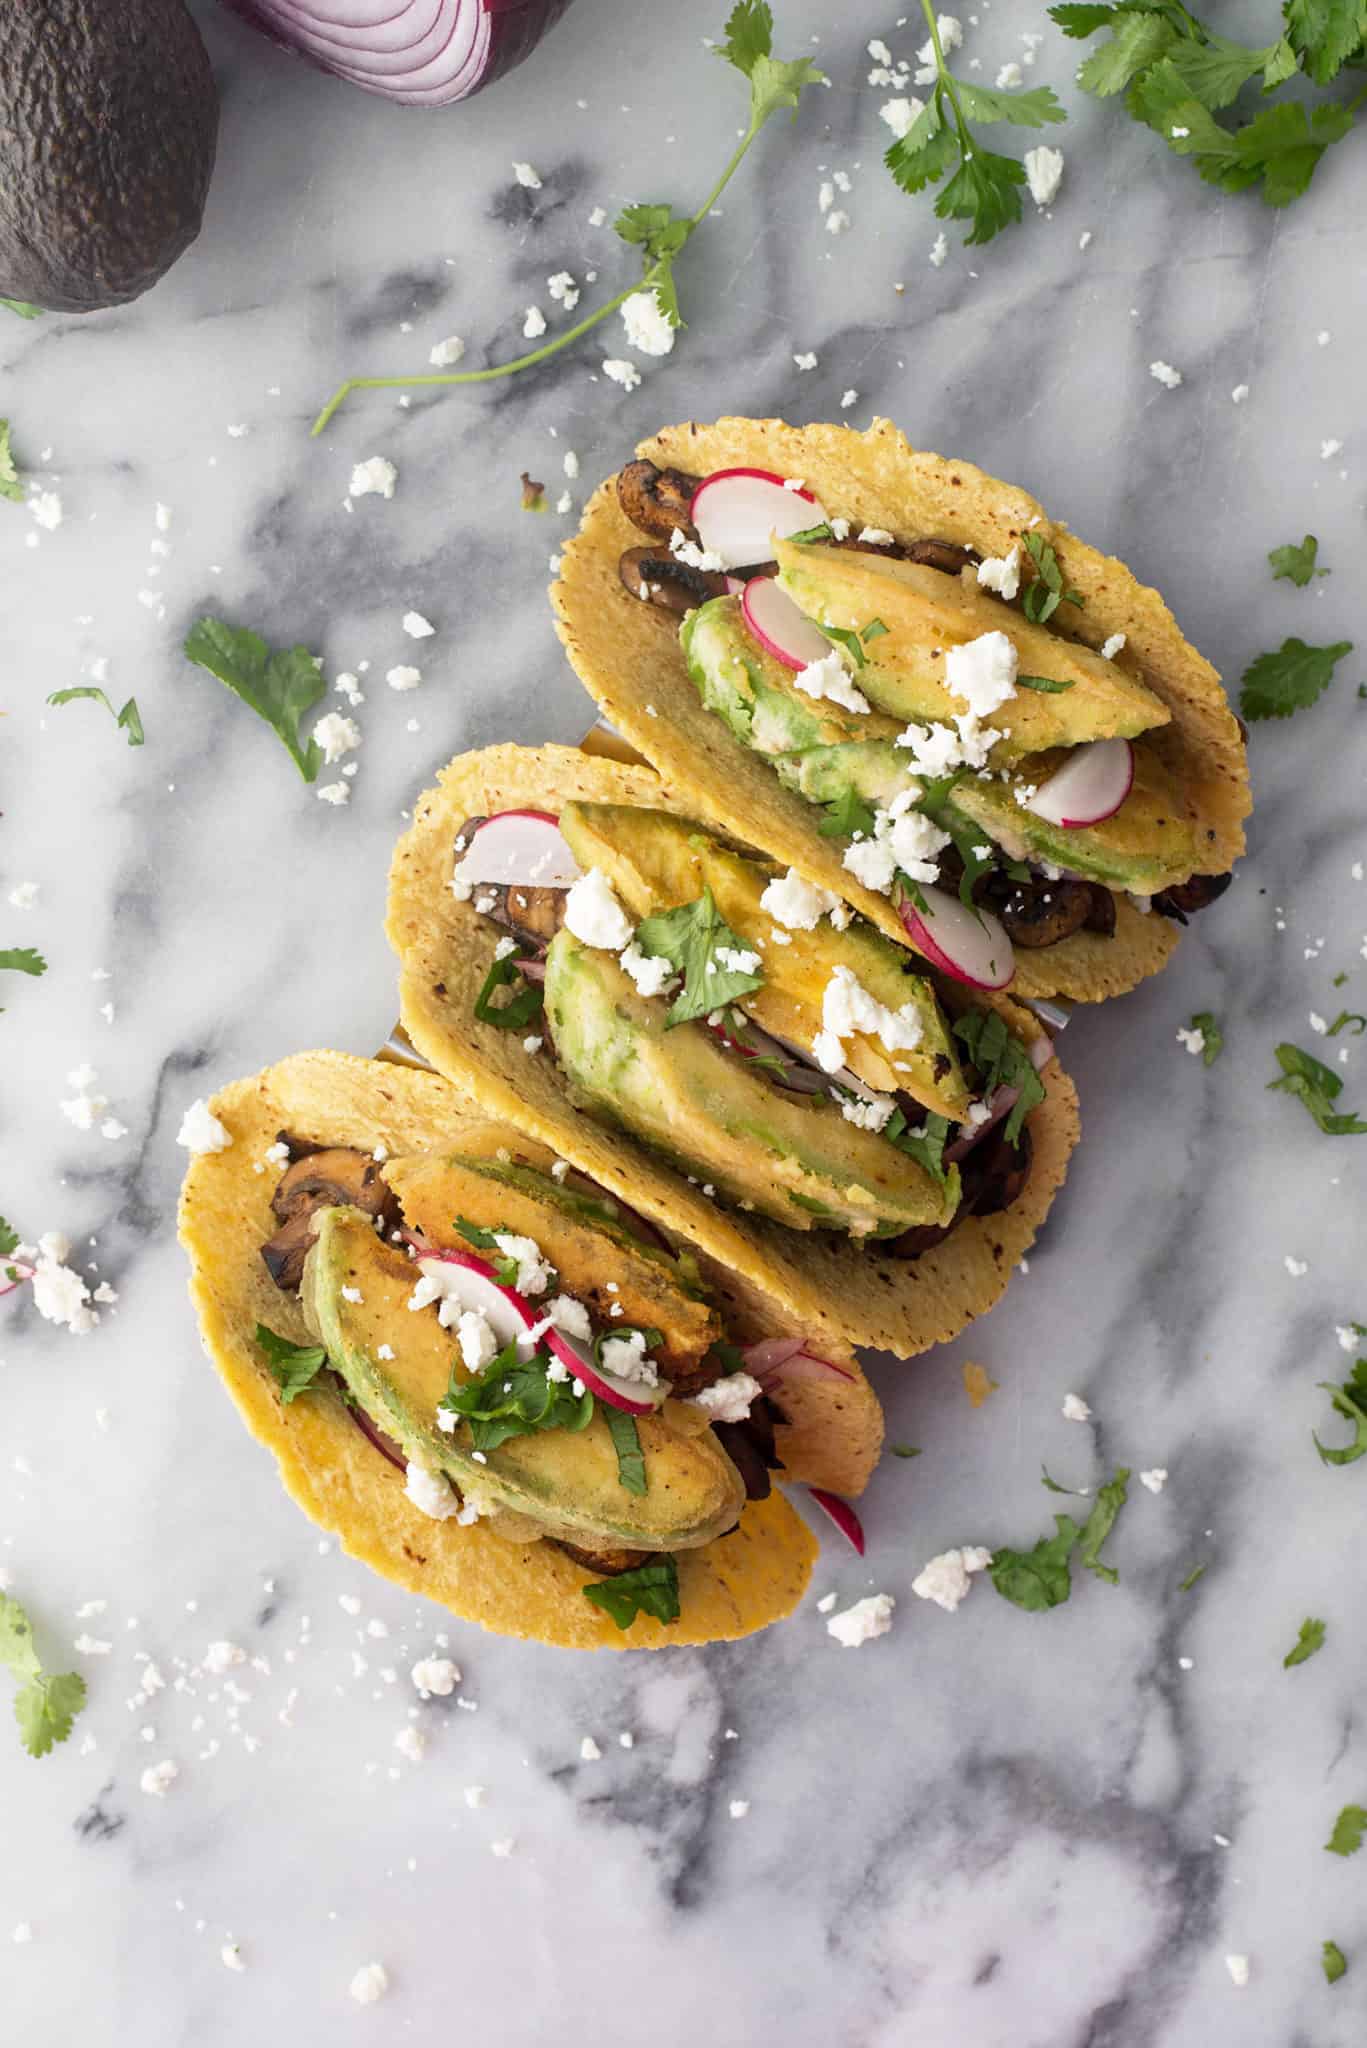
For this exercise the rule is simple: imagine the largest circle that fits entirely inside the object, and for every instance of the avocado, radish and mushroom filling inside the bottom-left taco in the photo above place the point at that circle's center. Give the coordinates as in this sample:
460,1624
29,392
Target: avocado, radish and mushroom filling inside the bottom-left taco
528,1355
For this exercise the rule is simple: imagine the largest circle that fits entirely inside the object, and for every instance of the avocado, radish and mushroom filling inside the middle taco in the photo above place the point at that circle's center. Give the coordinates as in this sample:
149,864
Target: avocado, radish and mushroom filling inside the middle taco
747,1027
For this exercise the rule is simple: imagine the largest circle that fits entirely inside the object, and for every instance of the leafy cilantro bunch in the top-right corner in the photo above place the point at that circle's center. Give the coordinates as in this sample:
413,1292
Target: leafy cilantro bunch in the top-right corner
1177,75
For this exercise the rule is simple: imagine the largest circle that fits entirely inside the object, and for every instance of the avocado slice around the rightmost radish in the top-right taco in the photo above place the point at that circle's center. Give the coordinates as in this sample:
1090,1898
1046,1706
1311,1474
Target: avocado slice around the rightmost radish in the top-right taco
1145,847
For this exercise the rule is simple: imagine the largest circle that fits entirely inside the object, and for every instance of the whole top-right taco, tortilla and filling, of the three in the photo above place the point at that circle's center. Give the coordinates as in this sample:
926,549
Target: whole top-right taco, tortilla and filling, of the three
915,689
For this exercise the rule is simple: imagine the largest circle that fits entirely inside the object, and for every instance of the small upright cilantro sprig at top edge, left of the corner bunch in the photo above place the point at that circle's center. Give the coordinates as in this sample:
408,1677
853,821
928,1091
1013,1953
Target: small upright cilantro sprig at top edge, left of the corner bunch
985,187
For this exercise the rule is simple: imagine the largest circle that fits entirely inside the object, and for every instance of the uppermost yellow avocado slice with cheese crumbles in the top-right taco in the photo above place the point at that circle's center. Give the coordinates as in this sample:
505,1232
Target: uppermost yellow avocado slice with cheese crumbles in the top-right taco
925,613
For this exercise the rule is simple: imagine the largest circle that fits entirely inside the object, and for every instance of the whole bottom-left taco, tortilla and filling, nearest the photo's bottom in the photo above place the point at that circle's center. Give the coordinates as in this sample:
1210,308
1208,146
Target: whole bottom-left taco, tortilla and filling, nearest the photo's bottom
499,1385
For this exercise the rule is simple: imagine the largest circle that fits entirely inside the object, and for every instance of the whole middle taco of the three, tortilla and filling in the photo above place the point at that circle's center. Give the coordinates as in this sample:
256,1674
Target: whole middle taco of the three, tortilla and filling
724,1048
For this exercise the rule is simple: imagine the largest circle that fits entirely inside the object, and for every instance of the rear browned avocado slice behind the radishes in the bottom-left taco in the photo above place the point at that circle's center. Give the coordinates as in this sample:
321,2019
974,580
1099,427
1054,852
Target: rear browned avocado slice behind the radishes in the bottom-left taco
575,1234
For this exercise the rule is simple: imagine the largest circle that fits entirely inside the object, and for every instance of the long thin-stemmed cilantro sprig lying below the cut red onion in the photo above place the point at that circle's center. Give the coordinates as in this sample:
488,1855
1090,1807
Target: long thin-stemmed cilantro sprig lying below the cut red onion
653,228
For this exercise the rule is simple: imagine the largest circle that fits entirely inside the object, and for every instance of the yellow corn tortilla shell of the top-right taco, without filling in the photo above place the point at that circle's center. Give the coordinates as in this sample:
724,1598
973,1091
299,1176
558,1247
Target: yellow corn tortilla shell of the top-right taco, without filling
628,658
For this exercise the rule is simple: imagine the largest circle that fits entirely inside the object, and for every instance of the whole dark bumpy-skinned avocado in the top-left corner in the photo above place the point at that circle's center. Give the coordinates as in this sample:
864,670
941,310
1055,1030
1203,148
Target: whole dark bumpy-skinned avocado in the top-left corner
108,134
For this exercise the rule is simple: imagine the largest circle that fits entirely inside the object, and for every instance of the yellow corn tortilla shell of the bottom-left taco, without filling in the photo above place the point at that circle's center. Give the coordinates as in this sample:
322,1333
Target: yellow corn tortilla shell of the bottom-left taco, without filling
731,1588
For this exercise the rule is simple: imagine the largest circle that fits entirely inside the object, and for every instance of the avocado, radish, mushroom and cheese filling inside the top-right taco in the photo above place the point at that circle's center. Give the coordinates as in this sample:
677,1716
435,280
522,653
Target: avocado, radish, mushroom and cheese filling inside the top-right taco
997,779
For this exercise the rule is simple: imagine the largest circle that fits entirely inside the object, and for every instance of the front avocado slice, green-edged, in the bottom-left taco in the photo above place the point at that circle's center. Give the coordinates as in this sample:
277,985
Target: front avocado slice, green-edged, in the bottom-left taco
567,1482
